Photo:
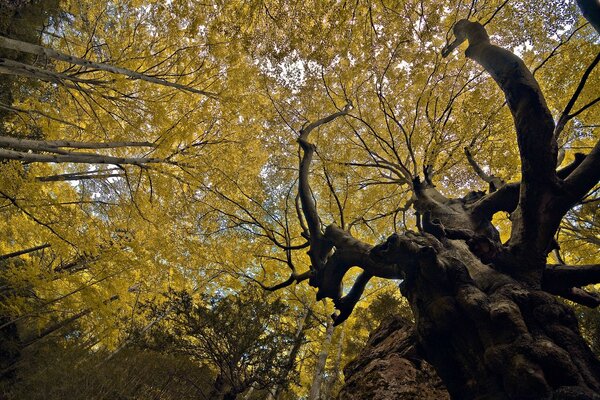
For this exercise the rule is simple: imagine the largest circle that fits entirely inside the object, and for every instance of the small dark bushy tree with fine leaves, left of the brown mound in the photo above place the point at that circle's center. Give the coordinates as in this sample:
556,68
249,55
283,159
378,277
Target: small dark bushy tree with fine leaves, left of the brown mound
242,336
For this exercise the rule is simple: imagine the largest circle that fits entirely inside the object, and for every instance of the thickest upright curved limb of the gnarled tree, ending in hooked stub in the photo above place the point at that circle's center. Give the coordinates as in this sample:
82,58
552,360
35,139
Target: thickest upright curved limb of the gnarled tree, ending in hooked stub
533,228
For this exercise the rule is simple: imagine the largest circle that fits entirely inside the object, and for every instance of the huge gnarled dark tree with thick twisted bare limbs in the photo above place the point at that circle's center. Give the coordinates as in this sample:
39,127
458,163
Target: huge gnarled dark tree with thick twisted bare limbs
486,312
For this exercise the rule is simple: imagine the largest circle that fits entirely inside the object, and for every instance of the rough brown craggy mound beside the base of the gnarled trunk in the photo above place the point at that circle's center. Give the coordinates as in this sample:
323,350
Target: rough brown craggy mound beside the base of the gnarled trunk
390,368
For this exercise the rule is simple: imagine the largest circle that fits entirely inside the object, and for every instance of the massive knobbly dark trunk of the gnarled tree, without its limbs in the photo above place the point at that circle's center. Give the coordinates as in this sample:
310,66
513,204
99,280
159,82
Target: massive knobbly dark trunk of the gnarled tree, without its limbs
507,341
